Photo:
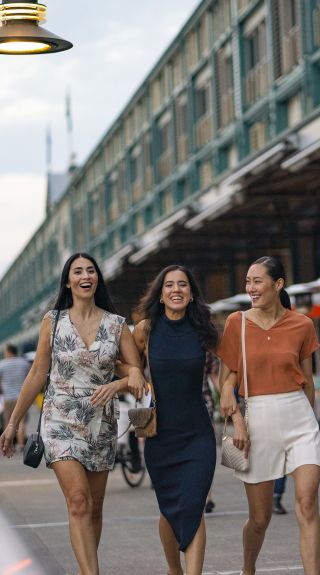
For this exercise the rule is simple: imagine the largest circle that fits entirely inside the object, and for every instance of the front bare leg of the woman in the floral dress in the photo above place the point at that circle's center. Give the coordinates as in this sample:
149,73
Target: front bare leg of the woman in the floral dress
74,483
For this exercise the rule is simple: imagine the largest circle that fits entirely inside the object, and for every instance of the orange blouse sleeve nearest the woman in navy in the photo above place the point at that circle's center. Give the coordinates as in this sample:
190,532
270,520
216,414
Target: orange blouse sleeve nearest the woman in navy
229,347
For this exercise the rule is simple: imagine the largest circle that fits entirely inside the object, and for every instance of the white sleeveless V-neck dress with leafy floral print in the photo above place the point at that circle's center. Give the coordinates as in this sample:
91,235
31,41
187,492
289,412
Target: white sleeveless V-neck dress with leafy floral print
71,428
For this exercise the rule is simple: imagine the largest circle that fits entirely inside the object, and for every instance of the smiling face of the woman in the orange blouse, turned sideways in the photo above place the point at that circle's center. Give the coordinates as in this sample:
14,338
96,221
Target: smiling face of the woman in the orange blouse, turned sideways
262,289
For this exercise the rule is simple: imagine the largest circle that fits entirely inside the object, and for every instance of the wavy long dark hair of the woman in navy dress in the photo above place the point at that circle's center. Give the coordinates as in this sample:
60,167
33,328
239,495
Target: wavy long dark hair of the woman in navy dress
198,311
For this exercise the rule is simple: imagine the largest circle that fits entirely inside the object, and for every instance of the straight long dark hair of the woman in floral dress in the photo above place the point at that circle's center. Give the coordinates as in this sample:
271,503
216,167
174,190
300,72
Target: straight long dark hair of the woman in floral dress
101,297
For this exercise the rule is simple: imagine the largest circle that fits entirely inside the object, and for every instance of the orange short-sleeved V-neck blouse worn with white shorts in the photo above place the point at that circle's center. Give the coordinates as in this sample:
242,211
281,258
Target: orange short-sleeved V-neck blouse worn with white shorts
273,356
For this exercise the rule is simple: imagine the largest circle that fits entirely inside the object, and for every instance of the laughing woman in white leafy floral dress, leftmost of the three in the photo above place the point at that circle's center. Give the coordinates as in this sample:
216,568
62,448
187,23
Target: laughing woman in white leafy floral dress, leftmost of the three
79,423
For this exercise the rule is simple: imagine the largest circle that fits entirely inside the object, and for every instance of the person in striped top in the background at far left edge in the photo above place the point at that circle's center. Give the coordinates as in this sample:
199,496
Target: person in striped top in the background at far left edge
13,371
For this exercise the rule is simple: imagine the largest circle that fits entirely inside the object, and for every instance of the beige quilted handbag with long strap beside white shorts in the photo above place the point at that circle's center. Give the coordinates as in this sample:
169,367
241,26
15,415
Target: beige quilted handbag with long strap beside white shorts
231,456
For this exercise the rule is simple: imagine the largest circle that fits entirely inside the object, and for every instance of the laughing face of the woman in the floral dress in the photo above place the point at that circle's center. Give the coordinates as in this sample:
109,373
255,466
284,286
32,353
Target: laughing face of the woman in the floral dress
83,278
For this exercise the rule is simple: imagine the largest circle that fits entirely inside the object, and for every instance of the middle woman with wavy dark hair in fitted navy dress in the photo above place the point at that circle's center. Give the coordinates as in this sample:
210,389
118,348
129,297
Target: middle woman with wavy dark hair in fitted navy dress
176,330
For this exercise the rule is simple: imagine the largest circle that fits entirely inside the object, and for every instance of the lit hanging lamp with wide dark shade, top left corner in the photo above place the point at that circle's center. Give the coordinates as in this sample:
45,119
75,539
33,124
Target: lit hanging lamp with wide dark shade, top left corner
20,32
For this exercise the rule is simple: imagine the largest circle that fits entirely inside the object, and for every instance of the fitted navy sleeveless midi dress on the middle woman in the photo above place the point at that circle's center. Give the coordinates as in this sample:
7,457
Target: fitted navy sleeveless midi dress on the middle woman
181,458
